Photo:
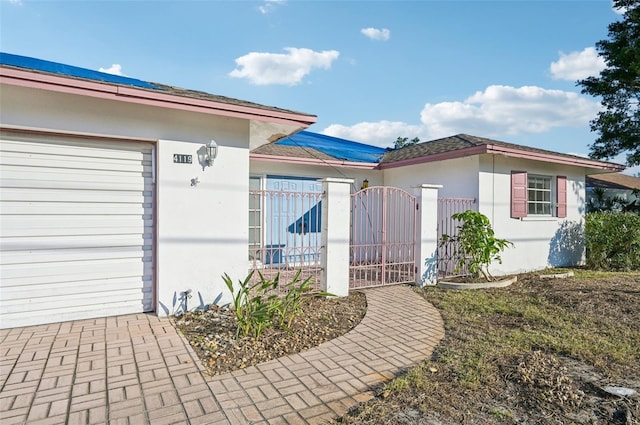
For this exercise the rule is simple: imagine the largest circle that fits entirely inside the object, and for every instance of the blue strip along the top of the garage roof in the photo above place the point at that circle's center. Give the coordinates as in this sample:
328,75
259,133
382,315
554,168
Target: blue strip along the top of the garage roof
68,70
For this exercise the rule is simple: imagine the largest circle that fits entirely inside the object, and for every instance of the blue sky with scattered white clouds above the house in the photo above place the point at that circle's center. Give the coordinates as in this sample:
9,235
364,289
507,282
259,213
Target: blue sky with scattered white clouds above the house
370,70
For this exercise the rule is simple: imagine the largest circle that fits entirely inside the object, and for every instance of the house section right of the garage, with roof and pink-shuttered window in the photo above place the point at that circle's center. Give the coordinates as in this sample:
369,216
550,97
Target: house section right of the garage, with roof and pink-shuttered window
533,197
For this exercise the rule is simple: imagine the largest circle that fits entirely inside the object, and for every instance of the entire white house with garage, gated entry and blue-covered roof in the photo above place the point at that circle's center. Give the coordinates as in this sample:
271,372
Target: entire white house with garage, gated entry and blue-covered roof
122,196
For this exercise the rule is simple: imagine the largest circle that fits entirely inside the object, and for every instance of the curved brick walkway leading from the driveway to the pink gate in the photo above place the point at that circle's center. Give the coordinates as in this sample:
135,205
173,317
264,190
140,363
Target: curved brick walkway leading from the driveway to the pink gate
399,330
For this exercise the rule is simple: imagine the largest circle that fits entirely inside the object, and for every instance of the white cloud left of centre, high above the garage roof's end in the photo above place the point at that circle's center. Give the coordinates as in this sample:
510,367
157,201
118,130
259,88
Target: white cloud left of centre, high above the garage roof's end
278,68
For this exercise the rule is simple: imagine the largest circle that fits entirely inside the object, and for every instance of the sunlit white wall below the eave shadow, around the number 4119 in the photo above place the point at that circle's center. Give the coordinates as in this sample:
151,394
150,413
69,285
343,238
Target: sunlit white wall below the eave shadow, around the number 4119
202,228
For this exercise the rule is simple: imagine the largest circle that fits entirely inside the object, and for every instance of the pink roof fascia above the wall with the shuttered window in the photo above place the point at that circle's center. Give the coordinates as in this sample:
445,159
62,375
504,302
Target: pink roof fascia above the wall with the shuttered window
595,166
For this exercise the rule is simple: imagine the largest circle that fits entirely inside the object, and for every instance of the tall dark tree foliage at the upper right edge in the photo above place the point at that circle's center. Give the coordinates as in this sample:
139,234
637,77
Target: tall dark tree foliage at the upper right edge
618,85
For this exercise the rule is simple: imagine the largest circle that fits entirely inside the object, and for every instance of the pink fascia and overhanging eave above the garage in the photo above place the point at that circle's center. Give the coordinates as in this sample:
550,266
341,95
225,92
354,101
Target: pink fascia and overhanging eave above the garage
267,125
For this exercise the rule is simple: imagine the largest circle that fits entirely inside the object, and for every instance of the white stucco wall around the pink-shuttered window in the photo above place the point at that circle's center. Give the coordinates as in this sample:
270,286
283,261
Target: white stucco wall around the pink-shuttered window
539,241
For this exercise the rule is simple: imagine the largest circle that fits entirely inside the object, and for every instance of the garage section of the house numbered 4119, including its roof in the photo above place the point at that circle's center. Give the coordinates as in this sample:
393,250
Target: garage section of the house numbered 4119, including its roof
113,197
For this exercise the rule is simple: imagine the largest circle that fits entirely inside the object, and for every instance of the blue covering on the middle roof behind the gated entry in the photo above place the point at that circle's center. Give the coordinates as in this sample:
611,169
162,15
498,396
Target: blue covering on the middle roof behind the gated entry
340,149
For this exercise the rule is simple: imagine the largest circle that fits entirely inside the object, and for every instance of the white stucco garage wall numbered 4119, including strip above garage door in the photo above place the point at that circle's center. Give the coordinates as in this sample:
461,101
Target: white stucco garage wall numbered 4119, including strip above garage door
201,230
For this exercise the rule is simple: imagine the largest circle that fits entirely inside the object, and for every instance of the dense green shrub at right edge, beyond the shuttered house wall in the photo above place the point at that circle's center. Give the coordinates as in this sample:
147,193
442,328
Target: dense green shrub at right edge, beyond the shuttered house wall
613,241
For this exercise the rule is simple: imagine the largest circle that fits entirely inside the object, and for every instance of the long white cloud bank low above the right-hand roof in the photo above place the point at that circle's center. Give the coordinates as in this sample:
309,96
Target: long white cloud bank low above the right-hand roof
498,111
